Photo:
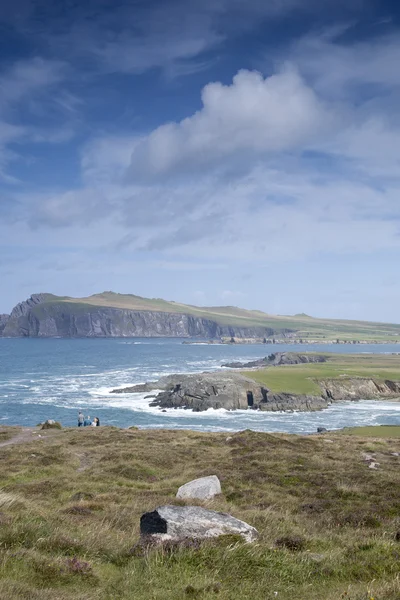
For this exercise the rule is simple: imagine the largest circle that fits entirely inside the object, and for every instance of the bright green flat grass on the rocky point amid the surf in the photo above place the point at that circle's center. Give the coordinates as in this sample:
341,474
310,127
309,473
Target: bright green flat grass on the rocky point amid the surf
302,379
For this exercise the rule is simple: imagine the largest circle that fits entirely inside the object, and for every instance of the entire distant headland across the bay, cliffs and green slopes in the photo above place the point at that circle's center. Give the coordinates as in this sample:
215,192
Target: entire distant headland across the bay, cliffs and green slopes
109,314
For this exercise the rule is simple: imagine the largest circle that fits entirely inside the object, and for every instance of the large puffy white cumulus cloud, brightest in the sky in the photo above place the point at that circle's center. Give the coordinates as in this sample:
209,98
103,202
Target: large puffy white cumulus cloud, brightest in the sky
252,115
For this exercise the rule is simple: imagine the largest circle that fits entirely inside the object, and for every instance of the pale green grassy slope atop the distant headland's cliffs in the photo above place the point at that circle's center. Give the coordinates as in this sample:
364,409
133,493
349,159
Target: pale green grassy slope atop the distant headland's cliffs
307,327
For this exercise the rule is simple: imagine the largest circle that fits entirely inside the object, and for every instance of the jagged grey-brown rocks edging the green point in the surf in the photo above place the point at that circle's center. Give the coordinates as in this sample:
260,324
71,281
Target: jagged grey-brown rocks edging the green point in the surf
231,390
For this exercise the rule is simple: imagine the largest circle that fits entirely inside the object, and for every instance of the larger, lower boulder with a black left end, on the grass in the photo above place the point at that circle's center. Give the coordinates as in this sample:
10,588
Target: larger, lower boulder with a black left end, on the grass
182,522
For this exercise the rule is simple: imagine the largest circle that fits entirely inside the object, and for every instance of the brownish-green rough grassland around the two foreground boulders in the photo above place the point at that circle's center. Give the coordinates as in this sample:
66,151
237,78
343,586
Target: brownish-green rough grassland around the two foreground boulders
70,506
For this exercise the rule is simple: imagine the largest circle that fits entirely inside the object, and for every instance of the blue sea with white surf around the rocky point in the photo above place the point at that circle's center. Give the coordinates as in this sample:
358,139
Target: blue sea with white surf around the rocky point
52,378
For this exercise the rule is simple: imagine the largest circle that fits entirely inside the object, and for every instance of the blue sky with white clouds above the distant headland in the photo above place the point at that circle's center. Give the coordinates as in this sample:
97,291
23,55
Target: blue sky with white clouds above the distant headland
212,152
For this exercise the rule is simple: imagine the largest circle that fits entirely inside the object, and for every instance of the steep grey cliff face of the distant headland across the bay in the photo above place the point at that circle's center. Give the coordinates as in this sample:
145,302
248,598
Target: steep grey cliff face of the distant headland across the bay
39,318
